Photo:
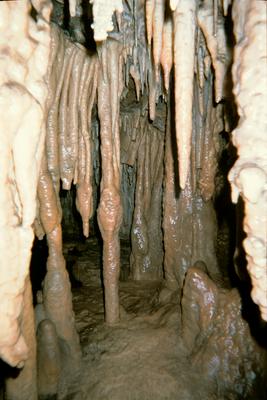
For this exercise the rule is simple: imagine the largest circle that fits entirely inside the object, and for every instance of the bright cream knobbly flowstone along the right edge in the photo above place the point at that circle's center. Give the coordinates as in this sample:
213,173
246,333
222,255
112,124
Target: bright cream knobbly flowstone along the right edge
248,177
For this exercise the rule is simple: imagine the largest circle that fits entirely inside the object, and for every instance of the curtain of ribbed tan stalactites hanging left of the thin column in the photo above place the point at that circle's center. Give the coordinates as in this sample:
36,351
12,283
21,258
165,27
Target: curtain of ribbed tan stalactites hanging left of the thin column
72,83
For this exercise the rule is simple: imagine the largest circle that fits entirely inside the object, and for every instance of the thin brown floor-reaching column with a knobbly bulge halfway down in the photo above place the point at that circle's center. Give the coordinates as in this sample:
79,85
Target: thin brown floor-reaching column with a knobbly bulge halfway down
109,212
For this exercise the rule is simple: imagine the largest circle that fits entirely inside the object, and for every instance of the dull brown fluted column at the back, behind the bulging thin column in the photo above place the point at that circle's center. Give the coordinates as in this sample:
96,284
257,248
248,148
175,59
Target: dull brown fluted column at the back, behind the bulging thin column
147,253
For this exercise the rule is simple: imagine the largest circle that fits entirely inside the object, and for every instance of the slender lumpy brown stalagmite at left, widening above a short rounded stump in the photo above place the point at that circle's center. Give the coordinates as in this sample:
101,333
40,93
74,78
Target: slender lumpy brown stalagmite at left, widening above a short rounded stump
57,291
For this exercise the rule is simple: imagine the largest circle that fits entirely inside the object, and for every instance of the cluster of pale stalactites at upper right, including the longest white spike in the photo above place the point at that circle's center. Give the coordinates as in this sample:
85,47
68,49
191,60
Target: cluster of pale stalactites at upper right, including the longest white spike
182,36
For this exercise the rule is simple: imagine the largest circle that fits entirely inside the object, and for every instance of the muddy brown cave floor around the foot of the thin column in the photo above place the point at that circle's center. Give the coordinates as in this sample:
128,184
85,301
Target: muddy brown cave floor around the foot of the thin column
142,357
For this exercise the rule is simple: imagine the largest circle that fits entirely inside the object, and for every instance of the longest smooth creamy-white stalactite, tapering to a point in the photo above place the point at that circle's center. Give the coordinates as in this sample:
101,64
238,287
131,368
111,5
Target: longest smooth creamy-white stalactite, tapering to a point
184,50
